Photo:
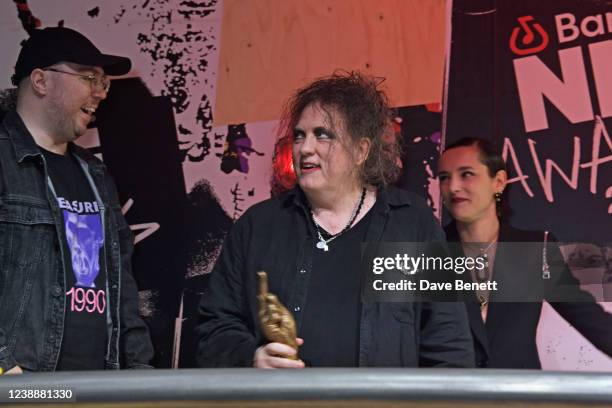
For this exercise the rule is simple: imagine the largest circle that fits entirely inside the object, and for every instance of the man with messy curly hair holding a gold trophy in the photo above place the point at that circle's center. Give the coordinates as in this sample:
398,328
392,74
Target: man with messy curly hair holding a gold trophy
308,240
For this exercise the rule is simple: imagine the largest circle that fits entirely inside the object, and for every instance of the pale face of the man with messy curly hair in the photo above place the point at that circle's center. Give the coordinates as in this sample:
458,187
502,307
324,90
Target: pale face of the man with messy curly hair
321,155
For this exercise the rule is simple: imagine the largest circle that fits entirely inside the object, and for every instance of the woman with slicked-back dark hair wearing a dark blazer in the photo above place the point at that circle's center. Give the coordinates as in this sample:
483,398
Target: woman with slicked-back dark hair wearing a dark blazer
473,178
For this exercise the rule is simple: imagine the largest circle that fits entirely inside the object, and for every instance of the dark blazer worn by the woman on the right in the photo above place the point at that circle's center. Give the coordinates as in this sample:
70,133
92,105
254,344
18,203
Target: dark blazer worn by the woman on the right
508,338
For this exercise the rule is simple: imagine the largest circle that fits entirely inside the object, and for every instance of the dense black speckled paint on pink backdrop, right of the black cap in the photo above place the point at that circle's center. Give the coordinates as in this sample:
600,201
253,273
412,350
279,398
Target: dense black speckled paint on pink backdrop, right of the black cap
181,53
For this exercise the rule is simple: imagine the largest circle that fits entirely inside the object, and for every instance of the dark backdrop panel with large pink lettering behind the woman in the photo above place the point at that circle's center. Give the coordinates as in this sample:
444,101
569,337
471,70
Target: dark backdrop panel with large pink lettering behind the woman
535,77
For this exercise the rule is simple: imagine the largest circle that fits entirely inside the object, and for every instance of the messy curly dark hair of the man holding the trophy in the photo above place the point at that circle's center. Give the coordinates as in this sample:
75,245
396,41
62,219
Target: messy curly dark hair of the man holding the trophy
366,113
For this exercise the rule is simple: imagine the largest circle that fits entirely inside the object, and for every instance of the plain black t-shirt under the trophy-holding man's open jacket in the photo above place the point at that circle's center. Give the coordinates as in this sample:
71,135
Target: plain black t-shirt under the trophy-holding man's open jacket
330,323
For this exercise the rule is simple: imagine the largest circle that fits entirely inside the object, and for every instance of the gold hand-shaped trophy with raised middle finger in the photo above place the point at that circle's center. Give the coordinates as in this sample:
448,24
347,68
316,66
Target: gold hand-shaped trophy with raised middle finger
277,323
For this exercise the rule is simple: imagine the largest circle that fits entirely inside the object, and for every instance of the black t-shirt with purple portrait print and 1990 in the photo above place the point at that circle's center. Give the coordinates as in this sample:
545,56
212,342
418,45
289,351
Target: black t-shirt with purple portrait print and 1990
84,339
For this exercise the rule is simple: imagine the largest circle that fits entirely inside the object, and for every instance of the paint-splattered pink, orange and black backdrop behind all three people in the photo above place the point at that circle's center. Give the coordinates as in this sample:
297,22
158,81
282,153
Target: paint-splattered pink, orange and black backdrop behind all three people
189,133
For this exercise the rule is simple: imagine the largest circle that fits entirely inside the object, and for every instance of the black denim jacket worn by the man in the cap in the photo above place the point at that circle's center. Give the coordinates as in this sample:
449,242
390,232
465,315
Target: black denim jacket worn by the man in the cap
32,272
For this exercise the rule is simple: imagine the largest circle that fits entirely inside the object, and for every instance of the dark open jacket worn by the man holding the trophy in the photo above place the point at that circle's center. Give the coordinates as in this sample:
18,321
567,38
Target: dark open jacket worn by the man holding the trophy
276,236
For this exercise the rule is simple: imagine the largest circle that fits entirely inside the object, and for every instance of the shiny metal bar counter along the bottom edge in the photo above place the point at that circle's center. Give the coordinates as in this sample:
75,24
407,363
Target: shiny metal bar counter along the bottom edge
313,387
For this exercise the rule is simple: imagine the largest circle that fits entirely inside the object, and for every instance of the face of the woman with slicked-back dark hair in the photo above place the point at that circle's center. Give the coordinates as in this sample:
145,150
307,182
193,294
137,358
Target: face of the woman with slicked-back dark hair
467,187
